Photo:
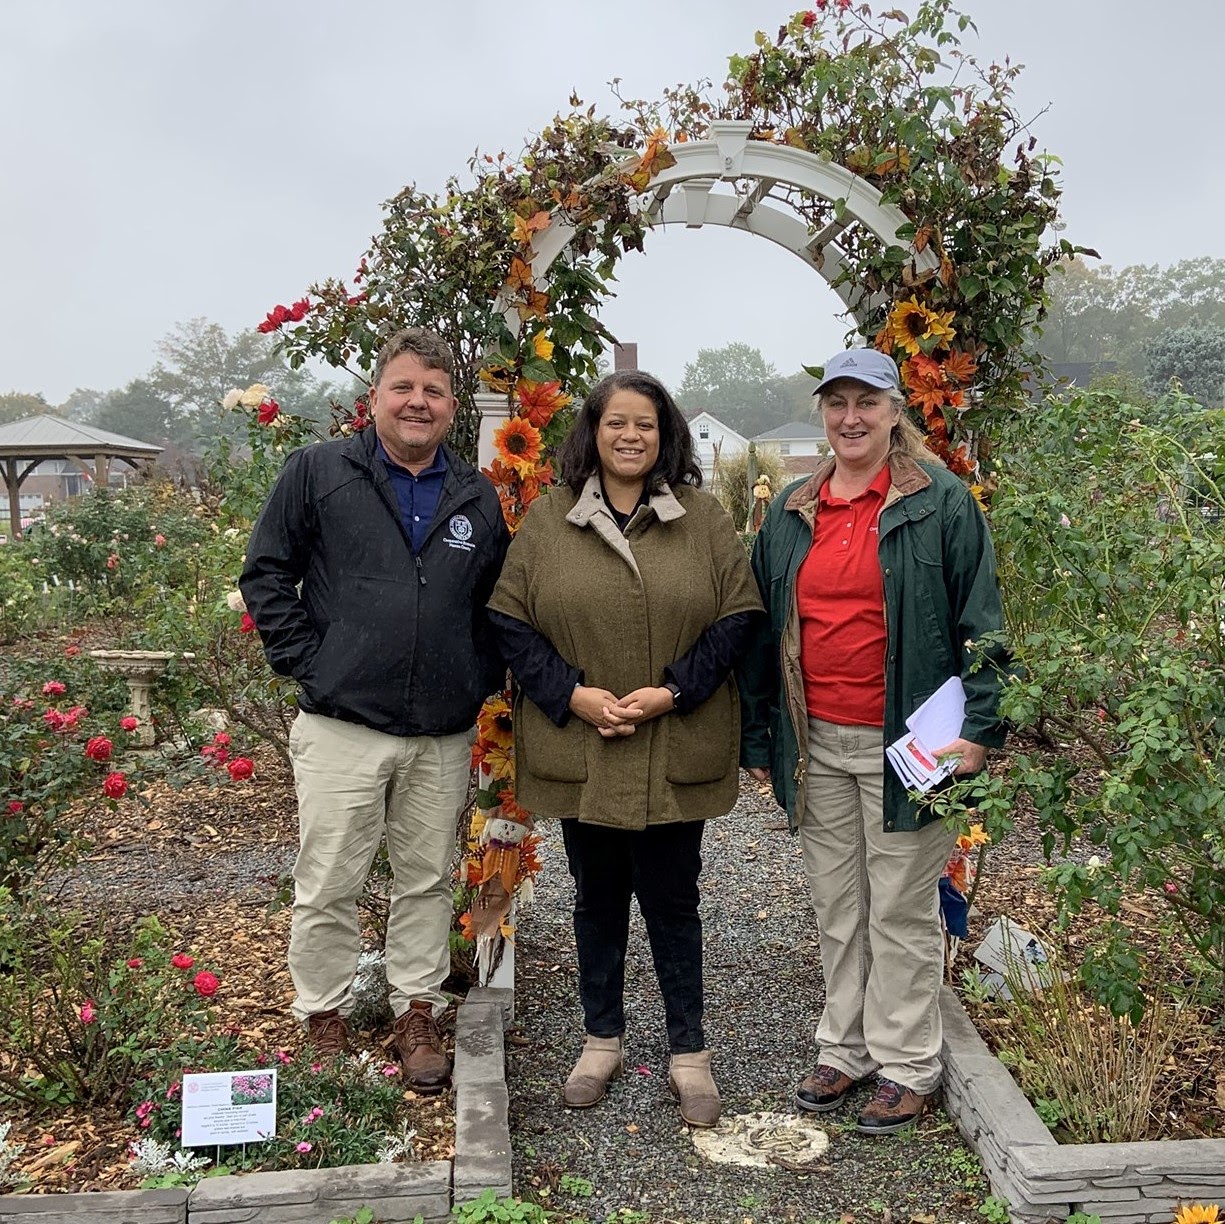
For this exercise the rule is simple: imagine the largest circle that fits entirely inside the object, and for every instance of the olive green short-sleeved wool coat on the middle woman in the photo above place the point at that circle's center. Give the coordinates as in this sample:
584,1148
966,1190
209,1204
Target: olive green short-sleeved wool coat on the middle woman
622,608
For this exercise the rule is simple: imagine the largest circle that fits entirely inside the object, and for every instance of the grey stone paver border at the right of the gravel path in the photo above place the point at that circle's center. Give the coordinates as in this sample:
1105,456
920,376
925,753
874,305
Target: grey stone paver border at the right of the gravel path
1042,1179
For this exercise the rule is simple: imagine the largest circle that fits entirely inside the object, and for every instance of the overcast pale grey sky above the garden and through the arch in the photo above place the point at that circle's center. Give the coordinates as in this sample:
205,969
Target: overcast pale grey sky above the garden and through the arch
164,161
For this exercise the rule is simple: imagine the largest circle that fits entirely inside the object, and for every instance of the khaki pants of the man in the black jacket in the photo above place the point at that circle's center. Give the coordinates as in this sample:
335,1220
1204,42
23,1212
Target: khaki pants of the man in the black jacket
353,786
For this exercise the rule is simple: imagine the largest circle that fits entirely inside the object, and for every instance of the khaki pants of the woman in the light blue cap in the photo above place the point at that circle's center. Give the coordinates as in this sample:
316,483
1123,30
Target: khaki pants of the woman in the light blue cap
878,906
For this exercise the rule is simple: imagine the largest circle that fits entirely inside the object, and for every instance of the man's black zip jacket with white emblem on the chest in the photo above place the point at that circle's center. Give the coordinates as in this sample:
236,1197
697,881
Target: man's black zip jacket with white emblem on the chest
375,635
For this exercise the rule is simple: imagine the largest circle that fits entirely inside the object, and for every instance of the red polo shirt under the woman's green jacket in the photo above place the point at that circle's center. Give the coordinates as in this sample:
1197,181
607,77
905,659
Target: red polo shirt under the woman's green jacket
841,600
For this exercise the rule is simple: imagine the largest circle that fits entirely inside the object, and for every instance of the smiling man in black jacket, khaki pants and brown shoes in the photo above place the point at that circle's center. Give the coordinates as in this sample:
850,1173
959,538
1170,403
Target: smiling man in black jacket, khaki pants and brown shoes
368,575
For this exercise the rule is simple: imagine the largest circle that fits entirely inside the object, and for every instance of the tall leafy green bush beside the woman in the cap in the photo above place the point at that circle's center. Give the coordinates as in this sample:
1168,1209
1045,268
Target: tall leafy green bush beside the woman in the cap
1112,541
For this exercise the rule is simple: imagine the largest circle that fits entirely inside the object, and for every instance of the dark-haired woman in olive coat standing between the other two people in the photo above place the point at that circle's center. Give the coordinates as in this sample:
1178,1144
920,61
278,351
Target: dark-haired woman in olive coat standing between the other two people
625,599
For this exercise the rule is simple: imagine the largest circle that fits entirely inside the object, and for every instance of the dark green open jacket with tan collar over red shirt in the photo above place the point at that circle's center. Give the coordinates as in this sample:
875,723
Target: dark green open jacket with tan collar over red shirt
940,596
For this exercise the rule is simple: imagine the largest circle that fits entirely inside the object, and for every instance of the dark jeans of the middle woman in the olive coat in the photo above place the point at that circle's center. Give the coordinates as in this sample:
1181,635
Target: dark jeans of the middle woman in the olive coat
660,866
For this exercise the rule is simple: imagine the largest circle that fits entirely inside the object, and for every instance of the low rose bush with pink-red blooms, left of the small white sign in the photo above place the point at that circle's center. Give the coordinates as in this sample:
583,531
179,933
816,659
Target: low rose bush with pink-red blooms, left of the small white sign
89,1010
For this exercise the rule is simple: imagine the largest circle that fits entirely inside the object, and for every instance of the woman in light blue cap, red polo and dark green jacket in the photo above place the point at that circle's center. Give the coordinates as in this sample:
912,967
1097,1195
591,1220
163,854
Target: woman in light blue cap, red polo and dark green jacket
879,579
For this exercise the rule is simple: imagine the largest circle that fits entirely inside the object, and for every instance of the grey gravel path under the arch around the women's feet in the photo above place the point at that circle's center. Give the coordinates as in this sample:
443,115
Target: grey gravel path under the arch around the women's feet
764,993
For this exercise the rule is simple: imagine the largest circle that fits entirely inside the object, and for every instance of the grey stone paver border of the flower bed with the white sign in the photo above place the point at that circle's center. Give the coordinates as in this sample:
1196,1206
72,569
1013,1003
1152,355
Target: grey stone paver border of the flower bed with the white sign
398,1194
